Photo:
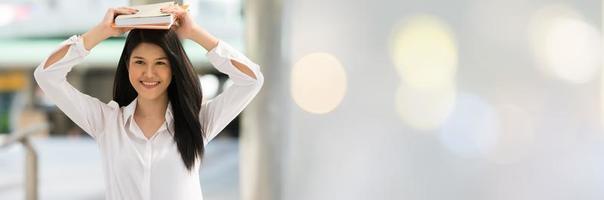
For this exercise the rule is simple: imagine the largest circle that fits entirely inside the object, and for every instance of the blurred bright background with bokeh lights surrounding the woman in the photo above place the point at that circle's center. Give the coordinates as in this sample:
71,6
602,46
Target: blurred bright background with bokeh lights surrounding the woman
385,99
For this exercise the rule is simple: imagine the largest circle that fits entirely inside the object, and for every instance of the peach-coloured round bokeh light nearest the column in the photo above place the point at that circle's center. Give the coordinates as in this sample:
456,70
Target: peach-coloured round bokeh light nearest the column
318,83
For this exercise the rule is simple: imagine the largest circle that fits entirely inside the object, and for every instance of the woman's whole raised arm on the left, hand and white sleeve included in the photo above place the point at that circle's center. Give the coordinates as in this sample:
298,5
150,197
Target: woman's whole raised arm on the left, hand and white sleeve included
87,112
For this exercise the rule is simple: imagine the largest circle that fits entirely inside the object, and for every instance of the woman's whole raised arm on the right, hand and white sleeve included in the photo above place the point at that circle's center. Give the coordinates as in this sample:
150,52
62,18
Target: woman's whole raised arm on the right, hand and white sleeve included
217,113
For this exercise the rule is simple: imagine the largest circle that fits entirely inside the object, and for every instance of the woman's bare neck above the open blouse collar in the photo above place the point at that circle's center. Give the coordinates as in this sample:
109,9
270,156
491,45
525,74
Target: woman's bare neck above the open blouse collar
151,108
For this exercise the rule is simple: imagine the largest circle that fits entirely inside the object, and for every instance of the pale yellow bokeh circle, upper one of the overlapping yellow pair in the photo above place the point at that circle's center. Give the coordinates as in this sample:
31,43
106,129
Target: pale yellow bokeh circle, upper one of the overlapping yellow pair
424,52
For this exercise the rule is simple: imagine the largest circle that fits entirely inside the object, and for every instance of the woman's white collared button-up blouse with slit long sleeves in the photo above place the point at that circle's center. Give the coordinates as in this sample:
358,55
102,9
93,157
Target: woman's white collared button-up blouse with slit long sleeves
136,167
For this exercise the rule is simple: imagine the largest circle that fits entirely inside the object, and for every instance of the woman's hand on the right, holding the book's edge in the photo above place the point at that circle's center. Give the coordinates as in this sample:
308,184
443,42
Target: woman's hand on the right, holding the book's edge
186,26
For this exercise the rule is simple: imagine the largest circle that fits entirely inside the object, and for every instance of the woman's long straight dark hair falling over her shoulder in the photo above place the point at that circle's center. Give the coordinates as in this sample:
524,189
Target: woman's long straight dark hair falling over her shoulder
184,92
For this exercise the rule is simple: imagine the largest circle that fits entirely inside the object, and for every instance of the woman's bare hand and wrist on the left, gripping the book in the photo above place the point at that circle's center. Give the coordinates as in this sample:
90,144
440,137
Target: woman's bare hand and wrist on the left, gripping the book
105,28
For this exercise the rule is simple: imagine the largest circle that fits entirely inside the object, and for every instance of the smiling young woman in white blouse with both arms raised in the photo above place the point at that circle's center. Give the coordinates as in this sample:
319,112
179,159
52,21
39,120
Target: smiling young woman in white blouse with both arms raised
152,135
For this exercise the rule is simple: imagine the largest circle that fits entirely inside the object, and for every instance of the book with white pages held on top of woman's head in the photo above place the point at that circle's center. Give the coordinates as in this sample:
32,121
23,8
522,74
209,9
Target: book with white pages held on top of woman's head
148,16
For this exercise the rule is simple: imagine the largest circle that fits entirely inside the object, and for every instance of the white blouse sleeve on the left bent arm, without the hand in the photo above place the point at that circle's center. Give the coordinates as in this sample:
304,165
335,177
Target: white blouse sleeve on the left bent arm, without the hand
87,112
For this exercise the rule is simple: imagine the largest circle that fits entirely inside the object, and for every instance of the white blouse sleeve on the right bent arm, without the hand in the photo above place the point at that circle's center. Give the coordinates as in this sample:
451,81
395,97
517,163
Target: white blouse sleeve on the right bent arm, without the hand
217,113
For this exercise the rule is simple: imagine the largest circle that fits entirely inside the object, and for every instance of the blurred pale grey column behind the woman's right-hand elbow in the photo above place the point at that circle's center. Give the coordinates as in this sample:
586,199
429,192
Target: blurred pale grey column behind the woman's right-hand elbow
265,122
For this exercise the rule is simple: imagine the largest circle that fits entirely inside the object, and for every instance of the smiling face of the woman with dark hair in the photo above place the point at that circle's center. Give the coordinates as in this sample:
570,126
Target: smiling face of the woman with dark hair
149,71
